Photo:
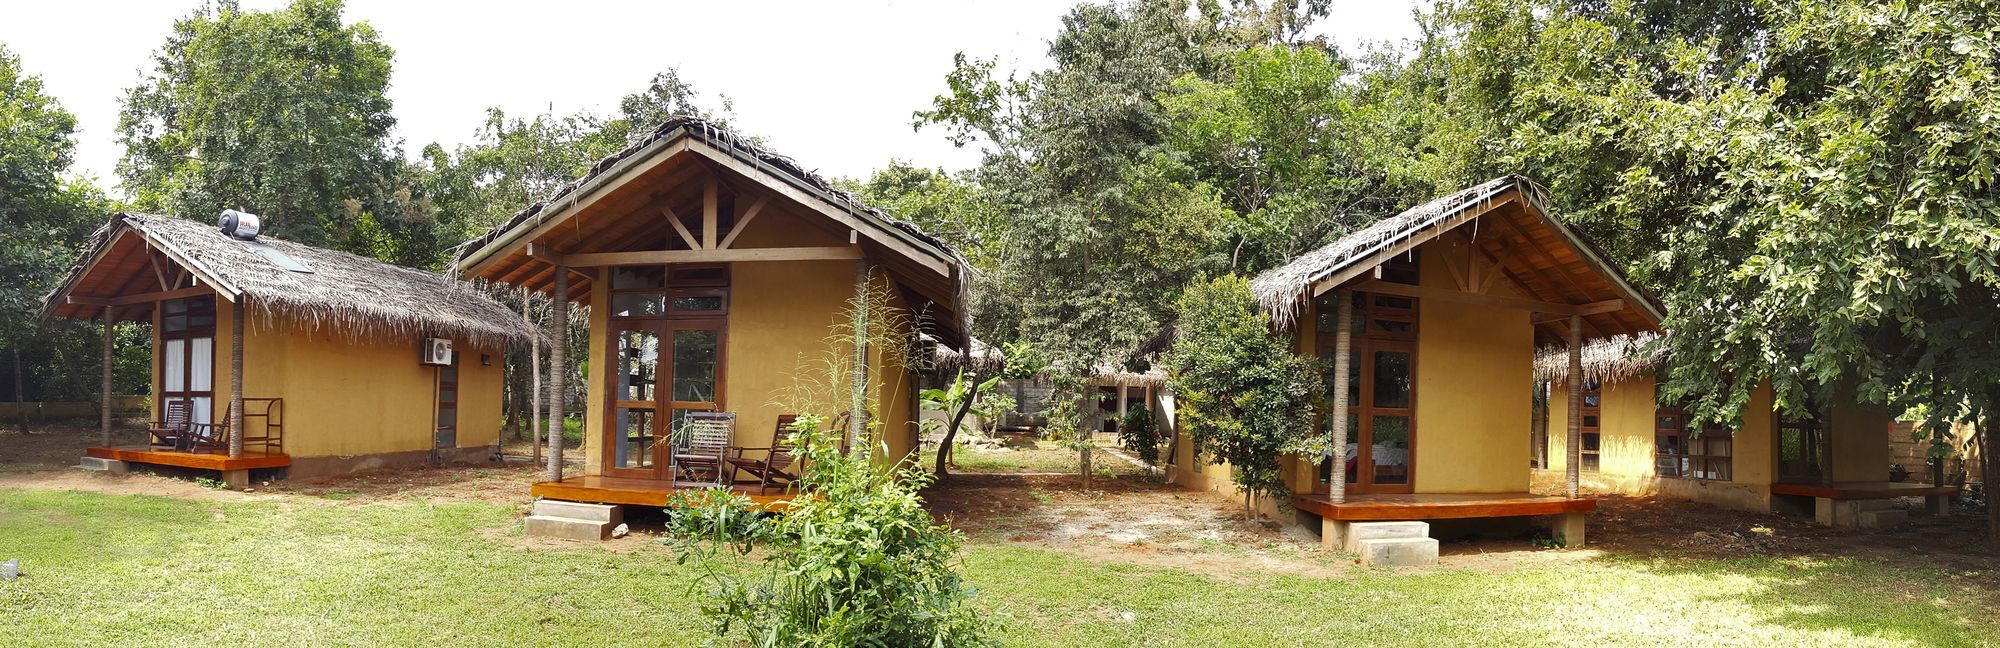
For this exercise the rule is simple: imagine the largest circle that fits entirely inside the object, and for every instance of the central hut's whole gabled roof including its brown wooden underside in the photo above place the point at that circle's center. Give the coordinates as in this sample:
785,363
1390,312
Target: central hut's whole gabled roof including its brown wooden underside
617,205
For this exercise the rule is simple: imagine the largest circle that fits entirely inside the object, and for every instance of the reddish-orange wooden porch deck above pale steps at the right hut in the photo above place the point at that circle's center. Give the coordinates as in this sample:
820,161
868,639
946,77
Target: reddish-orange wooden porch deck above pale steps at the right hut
1441,505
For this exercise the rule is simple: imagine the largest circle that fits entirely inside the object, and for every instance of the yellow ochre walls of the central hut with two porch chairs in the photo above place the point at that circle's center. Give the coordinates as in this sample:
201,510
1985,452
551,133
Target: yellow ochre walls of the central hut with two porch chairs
781,325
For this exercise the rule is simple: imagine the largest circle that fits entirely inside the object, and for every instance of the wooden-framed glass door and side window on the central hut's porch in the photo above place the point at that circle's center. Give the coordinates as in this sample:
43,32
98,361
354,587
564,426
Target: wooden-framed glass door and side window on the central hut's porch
661,371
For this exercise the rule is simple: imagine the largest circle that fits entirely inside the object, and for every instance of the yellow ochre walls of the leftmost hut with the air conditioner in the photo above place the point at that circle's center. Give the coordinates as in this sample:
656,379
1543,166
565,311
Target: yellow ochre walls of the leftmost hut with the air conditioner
349,397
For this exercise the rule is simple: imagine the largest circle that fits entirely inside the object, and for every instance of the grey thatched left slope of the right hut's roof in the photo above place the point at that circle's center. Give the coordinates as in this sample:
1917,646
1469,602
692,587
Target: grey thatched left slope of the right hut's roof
1279,289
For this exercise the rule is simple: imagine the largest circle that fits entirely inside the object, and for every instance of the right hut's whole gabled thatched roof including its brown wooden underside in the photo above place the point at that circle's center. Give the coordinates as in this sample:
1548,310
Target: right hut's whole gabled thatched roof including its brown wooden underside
1503,221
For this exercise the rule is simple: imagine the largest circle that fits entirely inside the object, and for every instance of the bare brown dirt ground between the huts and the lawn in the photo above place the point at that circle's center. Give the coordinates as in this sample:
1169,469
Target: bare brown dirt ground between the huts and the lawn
1127,519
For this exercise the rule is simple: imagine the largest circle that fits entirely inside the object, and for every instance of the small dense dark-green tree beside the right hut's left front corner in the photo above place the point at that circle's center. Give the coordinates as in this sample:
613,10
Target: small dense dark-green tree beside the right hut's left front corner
1243,395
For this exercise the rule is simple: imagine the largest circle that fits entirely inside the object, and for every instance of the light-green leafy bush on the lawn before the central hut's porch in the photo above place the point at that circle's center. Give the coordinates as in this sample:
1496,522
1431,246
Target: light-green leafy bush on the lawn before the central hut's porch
855,563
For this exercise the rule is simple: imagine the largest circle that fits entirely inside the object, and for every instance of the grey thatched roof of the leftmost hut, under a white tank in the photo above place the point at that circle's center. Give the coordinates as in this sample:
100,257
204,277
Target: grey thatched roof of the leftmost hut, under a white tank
347,295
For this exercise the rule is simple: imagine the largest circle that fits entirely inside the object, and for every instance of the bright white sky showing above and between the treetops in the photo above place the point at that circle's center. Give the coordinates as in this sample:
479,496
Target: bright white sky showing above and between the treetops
827,83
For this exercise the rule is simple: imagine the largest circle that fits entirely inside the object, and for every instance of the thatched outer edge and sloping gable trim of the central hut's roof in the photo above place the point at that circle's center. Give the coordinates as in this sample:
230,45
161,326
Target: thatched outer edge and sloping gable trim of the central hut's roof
497,245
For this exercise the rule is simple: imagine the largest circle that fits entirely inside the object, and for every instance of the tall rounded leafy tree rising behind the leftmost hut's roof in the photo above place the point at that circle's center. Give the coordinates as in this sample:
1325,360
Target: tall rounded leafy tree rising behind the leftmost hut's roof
275,113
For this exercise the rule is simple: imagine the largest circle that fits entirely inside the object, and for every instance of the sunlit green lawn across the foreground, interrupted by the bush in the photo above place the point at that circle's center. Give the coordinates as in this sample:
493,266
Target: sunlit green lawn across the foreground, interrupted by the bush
147,571
